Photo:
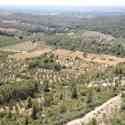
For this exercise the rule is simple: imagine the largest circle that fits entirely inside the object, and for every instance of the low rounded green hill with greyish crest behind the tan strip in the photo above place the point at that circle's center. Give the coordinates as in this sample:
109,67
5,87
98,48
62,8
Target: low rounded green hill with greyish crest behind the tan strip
88,41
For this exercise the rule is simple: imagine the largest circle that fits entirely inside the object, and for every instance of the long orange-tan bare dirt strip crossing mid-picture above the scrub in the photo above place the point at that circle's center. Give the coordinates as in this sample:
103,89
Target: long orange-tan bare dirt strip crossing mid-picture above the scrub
62,53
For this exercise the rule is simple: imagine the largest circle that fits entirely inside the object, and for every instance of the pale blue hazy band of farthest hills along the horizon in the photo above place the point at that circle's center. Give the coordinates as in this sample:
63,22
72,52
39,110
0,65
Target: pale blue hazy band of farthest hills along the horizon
48,9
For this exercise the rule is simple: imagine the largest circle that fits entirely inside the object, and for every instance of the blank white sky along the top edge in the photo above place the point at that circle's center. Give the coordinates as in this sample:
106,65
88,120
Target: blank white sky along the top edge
65,2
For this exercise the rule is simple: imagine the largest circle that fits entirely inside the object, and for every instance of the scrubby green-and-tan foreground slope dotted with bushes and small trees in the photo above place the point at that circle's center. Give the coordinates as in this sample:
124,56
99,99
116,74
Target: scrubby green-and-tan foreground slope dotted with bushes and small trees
63,85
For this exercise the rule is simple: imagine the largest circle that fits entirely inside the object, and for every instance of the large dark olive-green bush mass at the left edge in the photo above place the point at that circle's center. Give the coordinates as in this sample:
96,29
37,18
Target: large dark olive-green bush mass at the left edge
19,90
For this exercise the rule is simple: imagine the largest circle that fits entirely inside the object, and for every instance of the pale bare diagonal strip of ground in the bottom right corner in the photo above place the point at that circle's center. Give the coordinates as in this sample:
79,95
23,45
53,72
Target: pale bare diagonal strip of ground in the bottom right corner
102,114
